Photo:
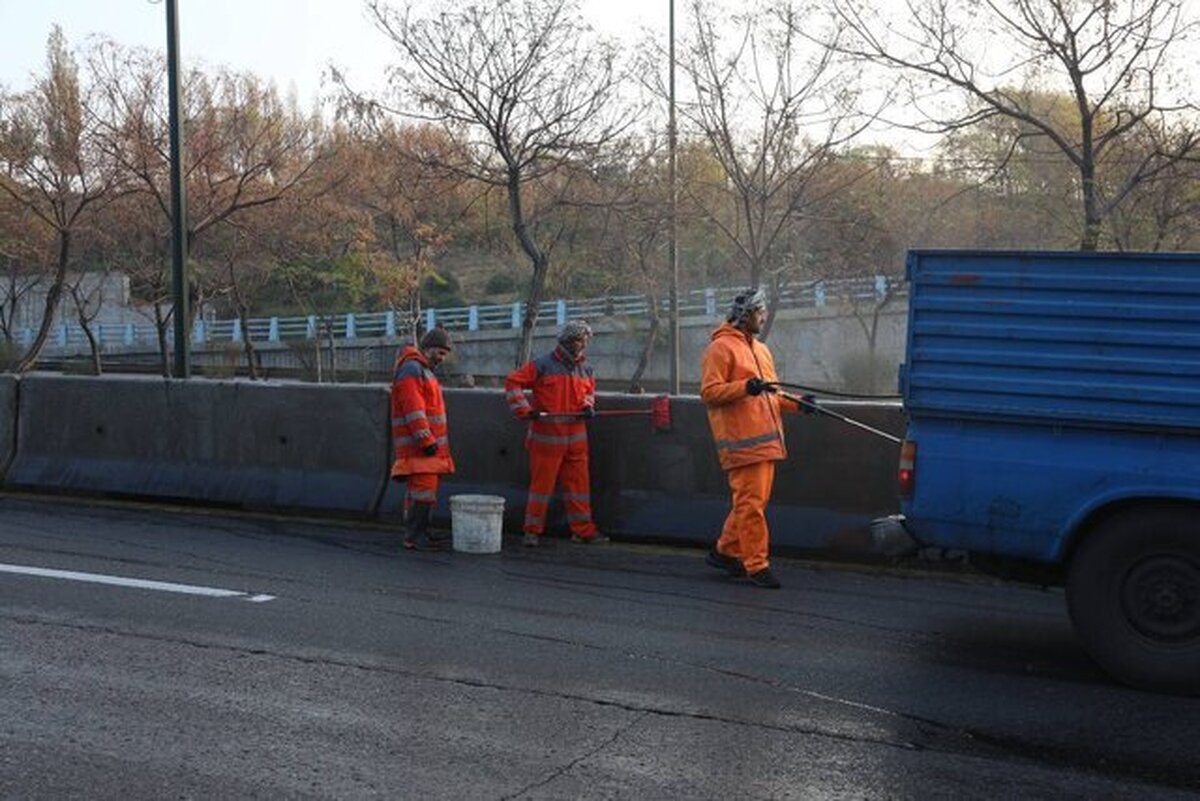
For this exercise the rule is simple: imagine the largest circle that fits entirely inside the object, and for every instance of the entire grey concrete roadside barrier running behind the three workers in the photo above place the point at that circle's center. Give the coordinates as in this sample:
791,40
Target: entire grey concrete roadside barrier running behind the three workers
302,447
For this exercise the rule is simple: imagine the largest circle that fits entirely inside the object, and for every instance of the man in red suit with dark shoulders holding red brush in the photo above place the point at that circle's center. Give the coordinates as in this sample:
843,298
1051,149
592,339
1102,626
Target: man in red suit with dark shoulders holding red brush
561,398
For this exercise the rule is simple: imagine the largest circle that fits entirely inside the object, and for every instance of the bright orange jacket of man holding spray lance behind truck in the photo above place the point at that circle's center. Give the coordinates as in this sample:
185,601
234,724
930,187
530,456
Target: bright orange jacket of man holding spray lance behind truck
748,429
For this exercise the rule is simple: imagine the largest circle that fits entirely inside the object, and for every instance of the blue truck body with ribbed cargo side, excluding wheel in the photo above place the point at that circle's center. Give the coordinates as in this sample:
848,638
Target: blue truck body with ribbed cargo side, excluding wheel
1041,387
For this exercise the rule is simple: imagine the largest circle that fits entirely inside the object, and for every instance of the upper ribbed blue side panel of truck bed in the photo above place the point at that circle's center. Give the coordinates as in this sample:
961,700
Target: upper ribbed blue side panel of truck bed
1070,338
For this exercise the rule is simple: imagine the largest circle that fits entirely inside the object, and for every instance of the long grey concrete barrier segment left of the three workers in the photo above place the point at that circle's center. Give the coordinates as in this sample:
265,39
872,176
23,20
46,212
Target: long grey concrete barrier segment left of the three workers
231,443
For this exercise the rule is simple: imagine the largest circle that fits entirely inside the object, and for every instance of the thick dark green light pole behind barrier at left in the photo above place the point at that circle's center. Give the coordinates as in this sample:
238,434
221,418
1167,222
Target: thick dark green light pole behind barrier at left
178,202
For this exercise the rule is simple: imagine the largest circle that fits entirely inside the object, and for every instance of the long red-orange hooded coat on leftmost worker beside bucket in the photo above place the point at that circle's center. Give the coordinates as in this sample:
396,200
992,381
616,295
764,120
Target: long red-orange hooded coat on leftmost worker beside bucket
418,418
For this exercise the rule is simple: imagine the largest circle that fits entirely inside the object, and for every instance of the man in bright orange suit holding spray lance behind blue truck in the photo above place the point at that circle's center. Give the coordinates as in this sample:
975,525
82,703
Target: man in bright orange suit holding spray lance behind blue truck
745,414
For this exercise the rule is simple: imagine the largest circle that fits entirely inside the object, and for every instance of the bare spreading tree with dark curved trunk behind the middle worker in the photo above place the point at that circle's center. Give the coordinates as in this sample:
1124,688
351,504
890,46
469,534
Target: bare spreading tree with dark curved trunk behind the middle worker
524,88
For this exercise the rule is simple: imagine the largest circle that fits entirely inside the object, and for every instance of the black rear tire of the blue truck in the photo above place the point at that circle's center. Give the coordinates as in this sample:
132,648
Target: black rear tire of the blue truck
1133,593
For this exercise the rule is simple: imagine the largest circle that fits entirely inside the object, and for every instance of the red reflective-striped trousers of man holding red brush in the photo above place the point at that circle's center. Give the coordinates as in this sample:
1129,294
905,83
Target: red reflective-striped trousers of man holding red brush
568,466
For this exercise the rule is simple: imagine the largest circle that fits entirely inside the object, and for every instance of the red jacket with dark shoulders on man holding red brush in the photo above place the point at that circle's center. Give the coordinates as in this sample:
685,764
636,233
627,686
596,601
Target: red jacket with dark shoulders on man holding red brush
560,387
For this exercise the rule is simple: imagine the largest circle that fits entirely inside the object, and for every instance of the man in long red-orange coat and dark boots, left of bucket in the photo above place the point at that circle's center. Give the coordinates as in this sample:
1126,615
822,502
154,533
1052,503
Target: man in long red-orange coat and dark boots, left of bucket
421,437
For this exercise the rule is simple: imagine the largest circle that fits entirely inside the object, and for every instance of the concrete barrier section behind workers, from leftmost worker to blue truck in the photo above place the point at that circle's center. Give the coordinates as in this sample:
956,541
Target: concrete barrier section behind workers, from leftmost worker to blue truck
669,486
